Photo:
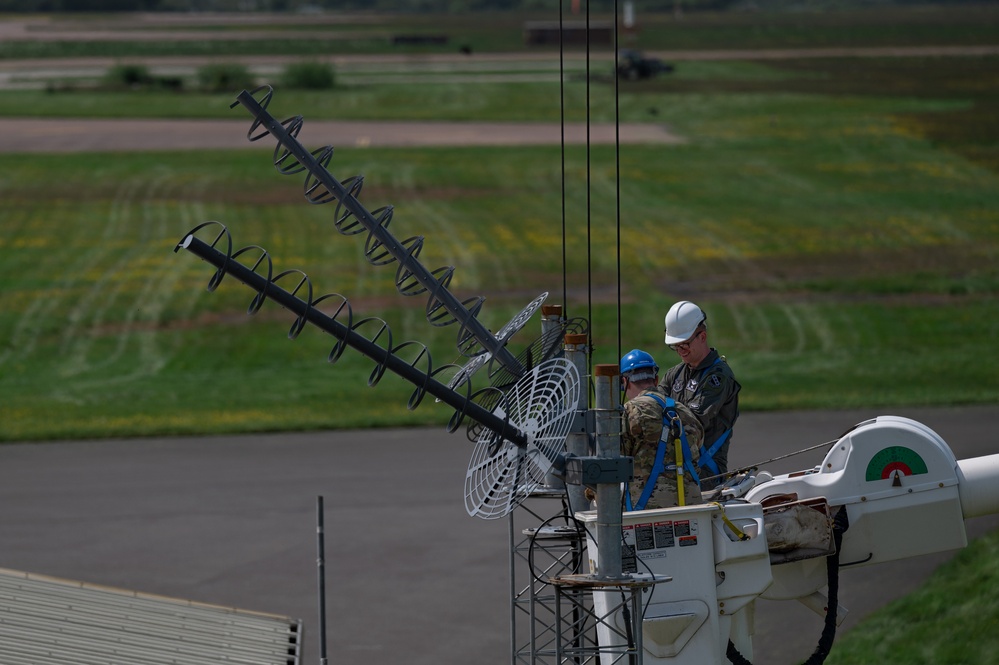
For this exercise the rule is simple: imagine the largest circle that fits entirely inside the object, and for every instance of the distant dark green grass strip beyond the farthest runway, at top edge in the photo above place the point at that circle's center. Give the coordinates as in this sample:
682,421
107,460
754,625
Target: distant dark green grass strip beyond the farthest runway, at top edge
935,25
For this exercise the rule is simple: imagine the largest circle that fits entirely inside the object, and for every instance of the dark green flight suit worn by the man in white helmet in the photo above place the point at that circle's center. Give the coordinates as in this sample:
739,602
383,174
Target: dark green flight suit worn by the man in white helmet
712,393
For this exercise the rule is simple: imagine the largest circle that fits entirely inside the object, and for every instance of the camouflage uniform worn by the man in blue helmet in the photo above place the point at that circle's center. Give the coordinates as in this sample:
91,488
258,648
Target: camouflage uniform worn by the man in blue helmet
641,431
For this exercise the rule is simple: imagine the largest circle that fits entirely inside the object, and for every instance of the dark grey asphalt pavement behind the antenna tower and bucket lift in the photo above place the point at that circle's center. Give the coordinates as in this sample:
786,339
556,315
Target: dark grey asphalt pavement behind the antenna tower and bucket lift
231,521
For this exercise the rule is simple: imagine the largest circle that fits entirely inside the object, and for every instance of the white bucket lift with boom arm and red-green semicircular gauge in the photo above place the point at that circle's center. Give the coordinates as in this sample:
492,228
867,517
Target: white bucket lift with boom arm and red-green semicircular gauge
903,492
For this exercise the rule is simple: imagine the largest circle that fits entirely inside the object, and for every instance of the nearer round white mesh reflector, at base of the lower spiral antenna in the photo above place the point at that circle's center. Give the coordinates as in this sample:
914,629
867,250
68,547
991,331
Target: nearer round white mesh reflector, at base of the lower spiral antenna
501,474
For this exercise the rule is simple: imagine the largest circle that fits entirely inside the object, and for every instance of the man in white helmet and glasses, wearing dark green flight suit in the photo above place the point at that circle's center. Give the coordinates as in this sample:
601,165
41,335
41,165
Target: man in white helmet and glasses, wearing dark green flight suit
705,383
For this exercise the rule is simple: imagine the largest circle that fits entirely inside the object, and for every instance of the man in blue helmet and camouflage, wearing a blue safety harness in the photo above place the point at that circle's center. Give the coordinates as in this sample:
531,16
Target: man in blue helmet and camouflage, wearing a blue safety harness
656,431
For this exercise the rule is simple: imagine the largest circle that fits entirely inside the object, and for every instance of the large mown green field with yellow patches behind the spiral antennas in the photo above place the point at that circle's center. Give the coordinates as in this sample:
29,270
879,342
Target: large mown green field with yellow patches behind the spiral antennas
838,223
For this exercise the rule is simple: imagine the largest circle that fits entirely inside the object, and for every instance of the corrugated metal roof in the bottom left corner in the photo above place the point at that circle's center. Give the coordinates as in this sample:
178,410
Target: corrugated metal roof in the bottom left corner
48,620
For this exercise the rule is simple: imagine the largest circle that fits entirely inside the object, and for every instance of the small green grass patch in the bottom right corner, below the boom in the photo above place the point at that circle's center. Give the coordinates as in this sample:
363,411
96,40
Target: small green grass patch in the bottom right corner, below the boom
950,620
